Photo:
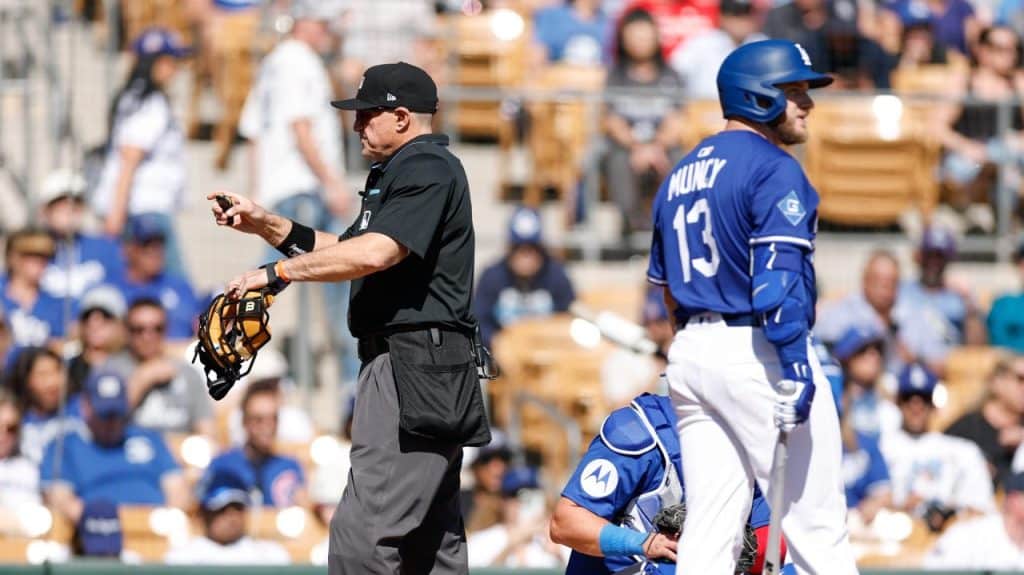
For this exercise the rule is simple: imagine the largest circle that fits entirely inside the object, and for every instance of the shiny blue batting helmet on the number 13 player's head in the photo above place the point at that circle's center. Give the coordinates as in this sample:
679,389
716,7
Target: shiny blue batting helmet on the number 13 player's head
749,78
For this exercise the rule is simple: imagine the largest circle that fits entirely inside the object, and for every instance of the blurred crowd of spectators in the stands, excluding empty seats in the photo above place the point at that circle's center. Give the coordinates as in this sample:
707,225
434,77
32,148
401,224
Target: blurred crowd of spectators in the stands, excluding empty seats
99,306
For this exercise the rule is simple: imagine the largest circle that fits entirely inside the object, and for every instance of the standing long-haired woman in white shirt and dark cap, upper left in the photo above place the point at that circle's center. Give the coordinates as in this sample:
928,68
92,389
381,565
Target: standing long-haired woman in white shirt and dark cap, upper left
145,168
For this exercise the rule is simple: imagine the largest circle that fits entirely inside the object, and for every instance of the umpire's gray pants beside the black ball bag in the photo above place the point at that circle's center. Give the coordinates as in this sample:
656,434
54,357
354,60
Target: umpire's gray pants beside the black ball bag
400,513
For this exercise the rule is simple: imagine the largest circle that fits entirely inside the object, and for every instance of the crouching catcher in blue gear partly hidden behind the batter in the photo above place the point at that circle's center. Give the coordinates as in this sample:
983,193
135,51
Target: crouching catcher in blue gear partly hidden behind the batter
623,510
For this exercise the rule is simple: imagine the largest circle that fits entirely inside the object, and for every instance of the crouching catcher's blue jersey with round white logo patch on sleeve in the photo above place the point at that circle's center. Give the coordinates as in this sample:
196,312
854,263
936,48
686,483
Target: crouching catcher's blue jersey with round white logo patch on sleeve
609,481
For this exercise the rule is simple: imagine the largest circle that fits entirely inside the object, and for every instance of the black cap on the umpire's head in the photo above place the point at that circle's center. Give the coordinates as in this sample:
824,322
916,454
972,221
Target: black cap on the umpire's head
392,86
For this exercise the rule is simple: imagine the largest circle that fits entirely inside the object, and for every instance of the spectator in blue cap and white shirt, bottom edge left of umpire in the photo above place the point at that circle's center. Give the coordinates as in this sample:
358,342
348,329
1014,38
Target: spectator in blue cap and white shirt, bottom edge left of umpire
224,509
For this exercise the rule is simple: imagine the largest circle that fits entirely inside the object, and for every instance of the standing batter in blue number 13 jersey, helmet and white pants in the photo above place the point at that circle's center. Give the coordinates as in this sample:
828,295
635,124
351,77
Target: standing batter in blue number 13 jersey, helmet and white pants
735,228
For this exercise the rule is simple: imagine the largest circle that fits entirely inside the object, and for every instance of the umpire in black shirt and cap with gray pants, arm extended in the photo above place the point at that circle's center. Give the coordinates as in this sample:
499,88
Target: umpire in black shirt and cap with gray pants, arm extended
410,256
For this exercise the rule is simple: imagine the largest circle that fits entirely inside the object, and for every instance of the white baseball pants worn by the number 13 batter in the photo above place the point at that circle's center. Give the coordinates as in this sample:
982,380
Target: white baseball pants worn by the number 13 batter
720,380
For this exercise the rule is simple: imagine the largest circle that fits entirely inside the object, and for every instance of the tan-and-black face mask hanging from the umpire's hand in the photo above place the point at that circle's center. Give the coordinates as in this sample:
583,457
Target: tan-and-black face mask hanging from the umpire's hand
231,333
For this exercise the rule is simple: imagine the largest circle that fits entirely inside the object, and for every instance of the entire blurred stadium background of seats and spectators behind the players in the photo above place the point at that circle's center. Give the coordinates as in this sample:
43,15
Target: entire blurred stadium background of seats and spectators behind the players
118,118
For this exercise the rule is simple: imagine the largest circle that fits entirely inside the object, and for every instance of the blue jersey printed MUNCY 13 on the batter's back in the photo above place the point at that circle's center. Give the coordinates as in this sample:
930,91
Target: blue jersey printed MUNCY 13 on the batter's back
736,190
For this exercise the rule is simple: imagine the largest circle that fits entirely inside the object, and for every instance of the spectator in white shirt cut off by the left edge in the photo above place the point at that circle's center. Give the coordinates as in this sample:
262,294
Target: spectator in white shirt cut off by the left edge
19,476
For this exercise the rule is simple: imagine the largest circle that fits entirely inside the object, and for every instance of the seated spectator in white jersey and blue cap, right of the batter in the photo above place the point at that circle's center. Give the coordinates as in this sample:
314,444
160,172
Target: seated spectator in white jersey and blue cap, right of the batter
933,475
